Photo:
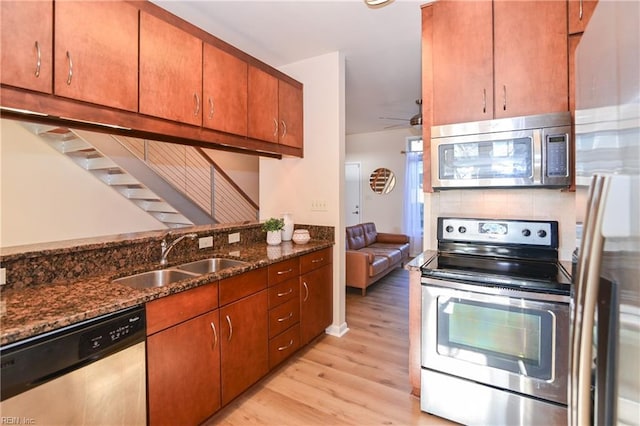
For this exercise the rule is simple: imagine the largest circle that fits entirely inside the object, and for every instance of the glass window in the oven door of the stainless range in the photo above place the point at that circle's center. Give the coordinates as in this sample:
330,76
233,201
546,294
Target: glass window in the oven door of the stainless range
514,339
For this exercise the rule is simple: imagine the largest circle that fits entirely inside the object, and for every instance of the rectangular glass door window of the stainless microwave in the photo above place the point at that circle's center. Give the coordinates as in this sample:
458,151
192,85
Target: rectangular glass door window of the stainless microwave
506,159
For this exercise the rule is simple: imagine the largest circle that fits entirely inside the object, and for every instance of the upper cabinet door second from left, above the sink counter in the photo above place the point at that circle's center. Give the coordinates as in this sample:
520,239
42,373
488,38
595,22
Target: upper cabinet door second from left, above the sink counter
96,51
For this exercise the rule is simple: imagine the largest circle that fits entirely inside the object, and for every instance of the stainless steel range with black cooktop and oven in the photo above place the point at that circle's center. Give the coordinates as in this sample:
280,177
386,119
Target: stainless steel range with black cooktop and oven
495,323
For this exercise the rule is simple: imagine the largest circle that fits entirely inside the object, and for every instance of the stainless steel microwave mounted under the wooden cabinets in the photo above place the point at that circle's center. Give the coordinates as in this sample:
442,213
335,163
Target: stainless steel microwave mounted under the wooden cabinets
530,151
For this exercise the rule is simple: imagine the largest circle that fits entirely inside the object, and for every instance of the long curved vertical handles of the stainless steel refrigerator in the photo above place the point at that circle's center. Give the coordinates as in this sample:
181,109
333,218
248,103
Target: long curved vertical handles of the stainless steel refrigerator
584,304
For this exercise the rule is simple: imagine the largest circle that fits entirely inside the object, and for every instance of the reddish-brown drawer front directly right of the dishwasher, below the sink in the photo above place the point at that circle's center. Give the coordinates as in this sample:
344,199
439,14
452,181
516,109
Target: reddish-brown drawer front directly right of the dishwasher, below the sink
171,310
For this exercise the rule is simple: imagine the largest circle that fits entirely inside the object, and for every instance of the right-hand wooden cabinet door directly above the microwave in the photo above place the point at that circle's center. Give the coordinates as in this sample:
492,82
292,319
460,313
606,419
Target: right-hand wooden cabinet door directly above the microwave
530,60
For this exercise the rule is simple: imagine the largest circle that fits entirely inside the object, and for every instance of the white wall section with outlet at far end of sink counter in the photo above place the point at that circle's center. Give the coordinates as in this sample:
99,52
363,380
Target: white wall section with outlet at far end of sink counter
291,184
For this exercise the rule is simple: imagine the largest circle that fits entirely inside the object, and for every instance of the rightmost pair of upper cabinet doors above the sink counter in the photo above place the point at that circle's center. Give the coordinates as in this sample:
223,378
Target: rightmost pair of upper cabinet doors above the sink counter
275,109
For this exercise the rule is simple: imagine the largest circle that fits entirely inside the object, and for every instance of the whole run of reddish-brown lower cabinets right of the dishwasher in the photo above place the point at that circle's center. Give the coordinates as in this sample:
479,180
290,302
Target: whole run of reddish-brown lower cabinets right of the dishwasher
207,345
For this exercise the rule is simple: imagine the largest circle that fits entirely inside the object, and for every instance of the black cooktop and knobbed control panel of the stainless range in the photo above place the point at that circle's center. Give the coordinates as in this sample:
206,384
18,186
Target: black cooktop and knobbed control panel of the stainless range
518,254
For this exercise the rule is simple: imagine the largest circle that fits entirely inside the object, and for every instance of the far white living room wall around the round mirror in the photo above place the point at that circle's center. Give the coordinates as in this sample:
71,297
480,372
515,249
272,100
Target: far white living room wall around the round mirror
374,150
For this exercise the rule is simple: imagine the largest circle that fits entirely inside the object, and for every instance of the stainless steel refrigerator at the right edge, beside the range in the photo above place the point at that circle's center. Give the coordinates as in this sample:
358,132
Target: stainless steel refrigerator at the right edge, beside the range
605,339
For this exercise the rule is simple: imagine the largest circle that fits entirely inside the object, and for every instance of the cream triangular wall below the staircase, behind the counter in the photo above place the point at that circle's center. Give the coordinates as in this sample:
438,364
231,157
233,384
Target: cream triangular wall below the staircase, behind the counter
46,197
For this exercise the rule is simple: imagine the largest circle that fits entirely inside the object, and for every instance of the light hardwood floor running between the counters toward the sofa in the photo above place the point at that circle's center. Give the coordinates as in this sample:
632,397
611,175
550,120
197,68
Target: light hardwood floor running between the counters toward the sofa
359,379
